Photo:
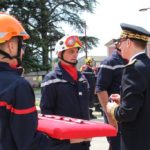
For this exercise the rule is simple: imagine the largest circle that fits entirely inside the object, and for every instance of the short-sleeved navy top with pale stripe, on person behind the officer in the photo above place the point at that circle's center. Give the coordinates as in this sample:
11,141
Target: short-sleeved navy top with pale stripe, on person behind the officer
110,74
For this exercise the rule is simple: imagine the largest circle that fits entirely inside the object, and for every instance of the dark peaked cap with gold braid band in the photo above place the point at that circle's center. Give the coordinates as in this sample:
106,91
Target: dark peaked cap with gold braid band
134,32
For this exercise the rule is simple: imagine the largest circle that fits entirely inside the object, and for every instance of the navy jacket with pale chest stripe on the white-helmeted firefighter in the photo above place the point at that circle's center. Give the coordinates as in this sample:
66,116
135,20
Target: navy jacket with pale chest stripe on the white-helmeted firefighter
63,96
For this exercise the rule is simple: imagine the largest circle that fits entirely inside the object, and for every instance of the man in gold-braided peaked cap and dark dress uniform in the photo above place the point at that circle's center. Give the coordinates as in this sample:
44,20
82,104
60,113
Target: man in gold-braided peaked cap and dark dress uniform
132,112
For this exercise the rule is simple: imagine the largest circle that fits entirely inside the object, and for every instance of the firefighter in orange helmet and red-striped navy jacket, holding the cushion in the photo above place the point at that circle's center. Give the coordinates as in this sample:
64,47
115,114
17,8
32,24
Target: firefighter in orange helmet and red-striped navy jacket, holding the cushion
18,115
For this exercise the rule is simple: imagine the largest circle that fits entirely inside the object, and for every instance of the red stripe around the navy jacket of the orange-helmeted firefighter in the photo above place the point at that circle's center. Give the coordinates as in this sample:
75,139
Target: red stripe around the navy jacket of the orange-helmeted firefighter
17,111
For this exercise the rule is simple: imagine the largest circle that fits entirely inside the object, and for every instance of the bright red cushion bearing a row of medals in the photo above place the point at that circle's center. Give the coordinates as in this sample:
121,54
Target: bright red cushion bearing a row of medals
61,127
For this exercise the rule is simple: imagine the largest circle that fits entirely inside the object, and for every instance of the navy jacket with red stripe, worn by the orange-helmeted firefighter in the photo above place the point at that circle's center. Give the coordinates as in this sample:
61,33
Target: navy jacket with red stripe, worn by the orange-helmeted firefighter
18,115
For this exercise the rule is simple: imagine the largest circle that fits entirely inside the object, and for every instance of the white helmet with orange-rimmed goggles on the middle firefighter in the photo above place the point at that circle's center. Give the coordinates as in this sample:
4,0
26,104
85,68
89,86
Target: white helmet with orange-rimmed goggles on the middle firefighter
67,42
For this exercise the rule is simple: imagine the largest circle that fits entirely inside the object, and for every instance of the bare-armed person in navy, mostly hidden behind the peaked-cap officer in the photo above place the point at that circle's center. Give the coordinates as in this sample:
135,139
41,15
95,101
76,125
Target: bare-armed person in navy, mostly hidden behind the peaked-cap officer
108,82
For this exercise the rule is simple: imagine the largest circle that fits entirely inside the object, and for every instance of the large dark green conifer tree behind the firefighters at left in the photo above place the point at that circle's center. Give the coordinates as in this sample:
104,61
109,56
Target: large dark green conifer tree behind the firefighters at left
42,20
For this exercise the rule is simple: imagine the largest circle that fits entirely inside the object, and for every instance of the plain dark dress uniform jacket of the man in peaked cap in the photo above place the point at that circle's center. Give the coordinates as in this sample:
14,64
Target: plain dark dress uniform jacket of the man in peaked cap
134,111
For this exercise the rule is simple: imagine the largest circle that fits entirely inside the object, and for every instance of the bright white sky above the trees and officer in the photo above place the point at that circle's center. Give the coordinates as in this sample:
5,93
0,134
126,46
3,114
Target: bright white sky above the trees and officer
105,22
